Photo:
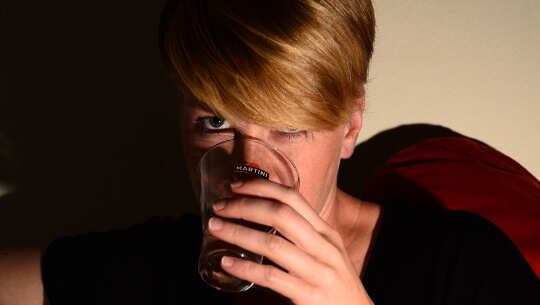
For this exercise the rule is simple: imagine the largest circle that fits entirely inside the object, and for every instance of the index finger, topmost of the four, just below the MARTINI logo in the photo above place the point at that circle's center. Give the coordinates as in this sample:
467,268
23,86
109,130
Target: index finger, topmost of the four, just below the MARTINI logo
272,190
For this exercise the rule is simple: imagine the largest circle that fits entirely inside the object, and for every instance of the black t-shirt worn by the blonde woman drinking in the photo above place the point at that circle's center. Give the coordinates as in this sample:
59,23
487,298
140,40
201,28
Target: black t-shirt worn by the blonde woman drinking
419,256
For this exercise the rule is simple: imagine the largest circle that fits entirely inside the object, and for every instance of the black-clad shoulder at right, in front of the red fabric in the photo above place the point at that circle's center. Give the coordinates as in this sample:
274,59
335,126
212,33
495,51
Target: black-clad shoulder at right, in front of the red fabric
455,255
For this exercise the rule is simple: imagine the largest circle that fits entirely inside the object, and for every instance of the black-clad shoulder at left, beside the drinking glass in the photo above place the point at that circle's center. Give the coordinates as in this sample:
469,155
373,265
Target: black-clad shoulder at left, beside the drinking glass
129,263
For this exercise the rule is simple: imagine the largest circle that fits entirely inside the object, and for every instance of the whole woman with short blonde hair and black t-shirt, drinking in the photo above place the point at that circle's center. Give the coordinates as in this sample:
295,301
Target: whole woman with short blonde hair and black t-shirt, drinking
291,73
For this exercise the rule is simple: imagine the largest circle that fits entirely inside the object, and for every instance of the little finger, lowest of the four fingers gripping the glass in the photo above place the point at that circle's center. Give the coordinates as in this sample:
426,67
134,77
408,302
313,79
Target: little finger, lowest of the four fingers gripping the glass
267,276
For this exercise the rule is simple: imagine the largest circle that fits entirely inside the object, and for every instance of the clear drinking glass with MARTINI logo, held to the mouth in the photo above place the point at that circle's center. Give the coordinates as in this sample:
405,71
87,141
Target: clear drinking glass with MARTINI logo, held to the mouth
228,161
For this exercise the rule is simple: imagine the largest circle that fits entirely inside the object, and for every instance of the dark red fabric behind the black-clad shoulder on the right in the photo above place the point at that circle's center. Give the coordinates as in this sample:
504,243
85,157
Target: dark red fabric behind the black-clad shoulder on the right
462,174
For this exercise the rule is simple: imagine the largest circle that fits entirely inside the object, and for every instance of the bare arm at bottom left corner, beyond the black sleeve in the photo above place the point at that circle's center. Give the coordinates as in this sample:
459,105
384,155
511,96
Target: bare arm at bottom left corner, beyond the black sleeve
20,277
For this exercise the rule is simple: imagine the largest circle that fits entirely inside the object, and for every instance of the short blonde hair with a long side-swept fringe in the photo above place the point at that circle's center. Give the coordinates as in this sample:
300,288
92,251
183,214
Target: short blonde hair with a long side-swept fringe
280,63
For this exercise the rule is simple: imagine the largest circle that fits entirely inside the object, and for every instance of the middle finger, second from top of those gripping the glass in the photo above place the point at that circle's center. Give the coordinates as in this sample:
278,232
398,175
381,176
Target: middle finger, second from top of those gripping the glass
281,217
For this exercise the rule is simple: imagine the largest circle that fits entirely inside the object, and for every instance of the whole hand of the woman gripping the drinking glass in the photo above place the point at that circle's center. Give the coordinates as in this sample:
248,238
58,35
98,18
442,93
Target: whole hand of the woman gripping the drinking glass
318,268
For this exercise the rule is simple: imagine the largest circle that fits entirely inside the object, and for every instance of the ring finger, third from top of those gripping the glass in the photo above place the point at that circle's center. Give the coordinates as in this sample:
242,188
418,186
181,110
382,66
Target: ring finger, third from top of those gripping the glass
277,249
